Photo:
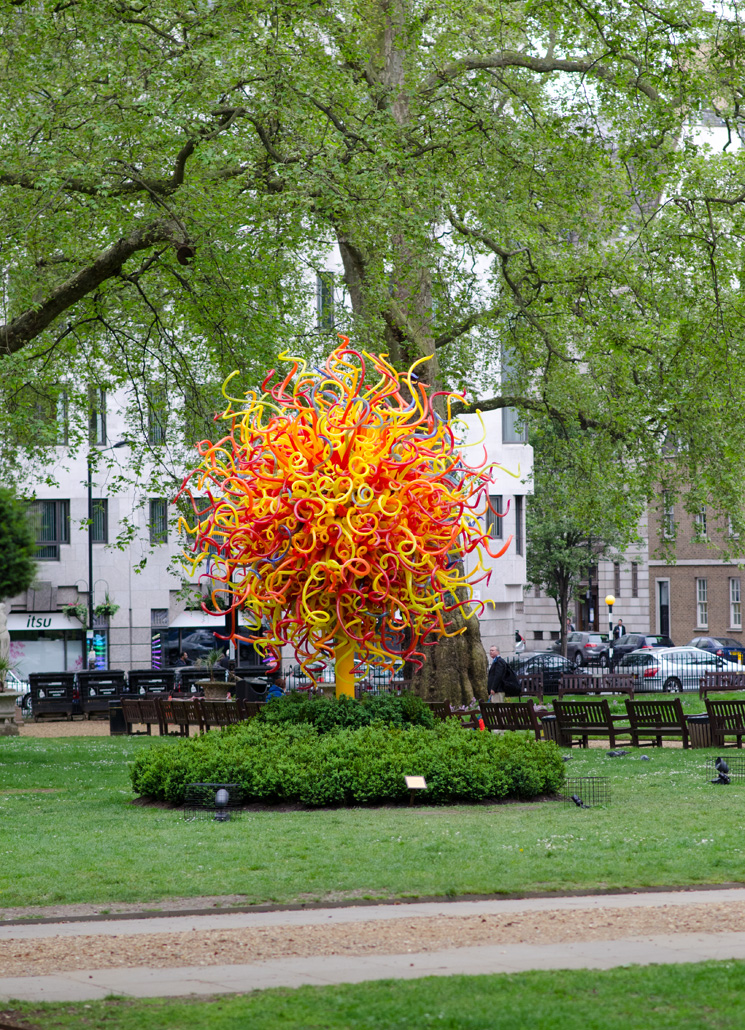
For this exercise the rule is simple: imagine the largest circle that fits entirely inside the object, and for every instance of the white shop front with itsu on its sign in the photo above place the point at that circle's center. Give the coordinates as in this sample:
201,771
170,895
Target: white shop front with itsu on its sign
46,642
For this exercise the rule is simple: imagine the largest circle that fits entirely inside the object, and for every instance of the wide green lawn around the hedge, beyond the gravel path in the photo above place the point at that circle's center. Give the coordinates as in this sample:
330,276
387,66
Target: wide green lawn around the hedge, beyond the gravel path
85,841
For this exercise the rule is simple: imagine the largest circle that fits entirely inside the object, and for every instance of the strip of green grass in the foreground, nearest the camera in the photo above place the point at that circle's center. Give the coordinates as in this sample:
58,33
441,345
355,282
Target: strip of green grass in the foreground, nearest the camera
674,998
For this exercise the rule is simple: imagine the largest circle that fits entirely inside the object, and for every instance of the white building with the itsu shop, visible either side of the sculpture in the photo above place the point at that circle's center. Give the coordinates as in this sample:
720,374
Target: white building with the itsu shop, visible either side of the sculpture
152,625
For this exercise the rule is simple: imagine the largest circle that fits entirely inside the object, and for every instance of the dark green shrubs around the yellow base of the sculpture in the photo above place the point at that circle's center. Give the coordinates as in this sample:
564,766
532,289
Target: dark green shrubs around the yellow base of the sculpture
335,713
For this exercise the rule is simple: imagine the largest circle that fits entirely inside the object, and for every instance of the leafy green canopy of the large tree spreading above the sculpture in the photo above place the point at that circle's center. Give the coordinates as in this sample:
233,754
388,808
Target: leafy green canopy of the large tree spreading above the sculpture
501,178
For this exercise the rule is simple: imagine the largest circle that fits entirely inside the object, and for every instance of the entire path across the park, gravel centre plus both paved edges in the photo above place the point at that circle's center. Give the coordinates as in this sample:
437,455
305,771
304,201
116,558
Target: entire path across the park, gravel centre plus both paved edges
591,929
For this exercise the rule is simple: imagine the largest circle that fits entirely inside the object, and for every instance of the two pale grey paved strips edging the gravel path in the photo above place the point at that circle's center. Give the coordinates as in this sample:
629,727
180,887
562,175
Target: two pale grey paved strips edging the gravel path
95,984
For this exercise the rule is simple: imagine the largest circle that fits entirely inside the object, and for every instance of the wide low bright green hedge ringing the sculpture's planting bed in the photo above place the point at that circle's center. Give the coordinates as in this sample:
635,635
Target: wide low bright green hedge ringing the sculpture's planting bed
291,764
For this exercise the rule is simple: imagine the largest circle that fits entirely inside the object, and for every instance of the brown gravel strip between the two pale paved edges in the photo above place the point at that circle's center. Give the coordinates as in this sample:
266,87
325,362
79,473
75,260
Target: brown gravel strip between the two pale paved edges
227,947
